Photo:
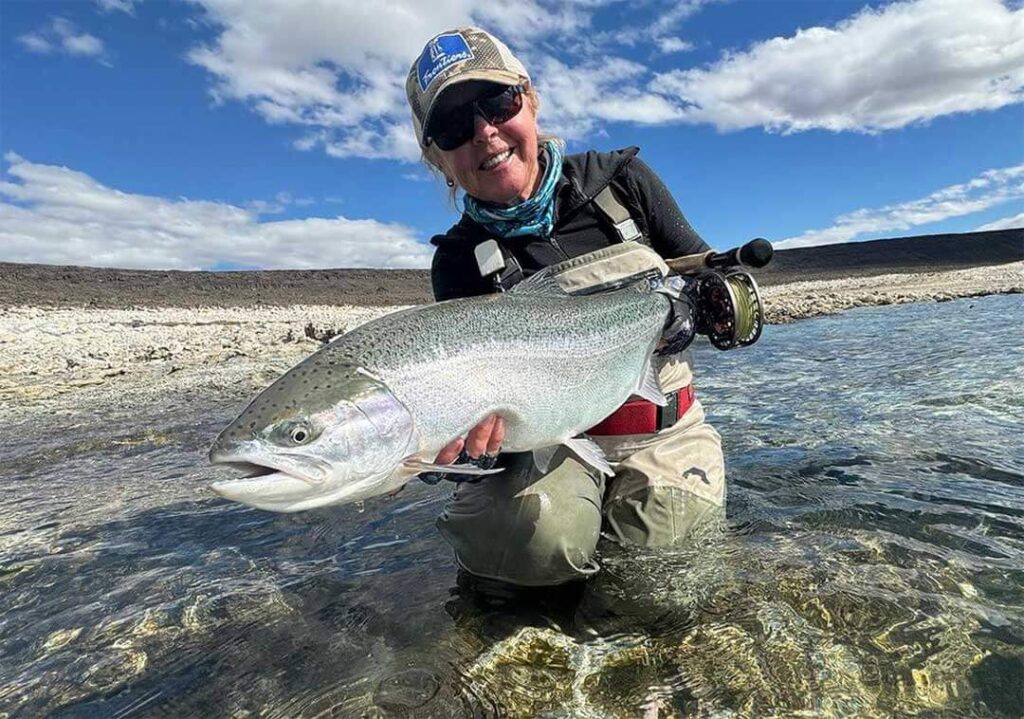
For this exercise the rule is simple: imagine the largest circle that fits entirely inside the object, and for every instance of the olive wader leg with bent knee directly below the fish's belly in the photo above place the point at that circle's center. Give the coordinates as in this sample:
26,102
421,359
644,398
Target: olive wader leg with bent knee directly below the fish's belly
525,528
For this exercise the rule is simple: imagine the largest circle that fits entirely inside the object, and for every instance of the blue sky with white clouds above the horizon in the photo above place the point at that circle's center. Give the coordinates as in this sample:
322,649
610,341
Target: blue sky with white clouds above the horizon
274,134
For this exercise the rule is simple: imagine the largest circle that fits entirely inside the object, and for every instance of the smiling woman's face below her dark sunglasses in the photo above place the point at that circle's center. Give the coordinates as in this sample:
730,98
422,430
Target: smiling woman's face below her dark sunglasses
499,163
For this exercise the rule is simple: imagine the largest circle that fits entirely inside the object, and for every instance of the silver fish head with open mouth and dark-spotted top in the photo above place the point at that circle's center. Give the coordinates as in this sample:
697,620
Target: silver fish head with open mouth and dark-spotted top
321,435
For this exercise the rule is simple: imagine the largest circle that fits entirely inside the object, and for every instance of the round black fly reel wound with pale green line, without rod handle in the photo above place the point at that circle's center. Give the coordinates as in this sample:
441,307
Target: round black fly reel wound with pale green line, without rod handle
733,315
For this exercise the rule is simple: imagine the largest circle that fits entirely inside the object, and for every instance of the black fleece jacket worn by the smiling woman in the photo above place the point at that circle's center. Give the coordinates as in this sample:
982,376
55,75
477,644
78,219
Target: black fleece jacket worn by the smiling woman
580,228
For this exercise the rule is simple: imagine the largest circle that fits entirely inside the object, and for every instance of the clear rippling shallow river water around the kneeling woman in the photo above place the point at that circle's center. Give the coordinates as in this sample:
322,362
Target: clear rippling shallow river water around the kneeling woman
873,564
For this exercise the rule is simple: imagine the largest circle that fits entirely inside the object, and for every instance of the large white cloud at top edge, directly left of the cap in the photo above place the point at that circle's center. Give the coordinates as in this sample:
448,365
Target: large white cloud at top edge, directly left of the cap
338,69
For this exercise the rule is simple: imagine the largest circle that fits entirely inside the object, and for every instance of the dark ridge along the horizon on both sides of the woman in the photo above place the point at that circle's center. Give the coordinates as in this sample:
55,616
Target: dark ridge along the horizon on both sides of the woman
100,287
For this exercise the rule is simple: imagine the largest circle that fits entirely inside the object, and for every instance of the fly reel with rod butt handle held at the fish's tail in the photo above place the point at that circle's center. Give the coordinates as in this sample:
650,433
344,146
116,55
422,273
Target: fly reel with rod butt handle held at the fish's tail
723,300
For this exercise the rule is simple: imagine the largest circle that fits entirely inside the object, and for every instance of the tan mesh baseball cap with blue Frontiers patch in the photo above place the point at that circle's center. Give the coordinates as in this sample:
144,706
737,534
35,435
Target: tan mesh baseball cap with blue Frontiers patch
456,57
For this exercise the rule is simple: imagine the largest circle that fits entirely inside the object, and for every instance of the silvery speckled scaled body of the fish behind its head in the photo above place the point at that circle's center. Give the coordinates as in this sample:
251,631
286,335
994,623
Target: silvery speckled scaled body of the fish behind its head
533,359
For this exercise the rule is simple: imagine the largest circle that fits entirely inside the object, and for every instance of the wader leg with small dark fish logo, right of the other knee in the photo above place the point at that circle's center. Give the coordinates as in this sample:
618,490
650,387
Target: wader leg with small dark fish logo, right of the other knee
668,484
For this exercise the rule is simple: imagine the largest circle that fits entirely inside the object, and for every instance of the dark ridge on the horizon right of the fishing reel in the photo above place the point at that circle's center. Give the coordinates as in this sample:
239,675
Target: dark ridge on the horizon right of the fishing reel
927,253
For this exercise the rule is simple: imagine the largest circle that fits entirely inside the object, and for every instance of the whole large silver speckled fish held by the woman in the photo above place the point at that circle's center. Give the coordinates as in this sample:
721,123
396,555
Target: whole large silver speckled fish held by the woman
372,409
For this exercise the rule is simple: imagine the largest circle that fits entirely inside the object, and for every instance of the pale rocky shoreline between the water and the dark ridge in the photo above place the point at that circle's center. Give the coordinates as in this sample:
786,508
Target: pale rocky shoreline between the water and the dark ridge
62,362
